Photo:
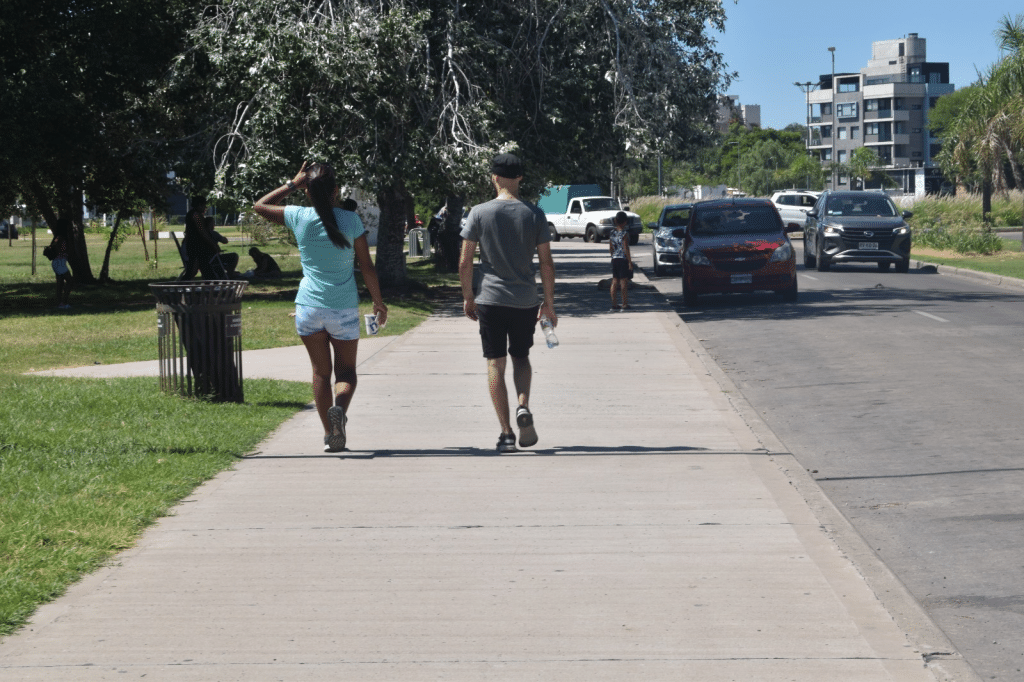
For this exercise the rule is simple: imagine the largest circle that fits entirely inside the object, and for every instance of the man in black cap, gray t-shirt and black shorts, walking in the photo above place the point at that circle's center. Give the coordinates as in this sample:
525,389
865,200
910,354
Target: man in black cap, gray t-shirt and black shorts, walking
509,232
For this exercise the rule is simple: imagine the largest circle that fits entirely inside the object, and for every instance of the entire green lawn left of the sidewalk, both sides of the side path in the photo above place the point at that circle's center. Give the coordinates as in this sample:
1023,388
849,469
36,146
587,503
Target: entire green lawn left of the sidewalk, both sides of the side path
88,464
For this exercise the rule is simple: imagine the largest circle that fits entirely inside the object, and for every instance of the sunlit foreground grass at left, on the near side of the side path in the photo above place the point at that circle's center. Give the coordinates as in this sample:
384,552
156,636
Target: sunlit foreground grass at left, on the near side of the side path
88,464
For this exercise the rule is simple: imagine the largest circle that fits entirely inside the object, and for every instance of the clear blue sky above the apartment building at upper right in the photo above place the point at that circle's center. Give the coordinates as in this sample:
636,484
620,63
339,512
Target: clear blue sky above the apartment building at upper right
775,44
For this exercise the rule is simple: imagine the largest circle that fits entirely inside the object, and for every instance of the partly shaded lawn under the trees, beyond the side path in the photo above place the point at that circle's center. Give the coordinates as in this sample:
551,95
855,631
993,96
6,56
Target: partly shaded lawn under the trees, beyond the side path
118,323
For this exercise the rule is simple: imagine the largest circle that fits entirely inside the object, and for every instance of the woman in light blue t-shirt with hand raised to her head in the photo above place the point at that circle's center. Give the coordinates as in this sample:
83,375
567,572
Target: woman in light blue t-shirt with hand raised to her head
327,313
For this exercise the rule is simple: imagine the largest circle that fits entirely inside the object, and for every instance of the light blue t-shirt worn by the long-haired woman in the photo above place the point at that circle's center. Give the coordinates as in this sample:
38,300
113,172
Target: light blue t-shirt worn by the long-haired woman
328,277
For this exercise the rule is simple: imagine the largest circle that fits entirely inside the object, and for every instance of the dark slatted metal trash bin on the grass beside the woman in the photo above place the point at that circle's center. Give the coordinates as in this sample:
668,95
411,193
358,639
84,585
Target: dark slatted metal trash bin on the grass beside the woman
200,336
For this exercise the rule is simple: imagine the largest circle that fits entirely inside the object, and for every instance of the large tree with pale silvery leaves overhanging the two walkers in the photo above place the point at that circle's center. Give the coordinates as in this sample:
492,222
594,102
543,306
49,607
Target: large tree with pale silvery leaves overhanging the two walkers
411,97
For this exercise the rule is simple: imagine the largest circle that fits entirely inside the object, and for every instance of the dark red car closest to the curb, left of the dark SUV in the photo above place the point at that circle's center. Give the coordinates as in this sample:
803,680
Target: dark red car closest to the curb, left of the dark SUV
737,246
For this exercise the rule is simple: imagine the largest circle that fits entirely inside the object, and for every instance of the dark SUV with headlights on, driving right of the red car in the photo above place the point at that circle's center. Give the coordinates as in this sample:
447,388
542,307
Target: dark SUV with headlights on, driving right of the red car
857,228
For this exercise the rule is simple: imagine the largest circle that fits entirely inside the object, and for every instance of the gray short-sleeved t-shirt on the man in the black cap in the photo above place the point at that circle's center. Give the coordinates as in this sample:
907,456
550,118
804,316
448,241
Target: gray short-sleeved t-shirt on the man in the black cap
508,233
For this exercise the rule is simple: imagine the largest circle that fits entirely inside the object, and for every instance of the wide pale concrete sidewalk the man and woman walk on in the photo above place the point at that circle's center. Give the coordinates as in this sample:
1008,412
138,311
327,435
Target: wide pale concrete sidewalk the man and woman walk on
658,532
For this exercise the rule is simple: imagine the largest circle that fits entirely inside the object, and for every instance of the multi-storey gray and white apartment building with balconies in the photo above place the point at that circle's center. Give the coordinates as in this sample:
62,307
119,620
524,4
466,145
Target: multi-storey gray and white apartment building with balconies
885,108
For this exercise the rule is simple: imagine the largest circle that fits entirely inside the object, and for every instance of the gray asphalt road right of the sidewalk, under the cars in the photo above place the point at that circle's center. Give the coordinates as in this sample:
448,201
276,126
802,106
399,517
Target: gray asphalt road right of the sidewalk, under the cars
904,396
